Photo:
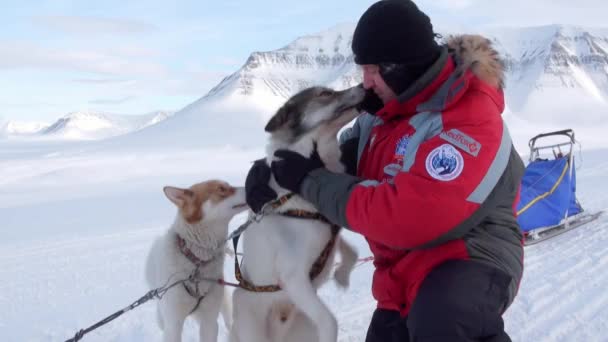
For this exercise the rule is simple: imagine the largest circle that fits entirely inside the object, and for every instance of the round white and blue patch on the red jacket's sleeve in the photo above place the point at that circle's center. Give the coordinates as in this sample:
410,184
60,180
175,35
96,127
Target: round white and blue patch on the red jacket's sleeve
444,163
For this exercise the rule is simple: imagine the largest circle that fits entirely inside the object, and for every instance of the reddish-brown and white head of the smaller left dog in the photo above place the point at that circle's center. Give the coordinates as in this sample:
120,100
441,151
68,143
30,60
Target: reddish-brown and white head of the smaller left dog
208,201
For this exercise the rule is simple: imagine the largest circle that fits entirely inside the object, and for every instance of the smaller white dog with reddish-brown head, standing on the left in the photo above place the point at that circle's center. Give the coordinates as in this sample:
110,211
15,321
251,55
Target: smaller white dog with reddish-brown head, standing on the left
204,211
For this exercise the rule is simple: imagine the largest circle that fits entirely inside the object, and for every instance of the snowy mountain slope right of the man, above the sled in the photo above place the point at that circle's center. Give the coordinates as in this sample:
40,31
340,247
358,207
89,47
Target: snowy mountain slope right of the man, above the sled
555,71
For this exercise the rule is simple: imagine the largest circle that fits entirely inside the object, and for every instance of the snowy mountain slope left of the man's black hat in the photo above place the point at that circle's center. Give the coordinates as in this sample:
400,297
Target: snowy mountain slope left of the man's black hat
236,110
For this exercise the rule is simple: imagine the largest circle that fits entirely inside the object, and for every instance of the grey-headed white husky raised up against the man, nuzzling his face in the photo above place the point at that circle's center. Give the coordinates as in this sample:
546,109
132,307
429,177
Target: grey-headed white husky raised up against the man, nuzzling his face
280,249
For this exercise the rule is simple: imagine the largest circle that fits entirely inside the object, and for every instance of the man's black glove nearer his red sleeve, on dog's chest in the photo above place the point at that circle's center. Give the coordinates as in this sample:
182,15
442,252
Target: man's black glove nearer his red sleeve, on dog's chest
291,170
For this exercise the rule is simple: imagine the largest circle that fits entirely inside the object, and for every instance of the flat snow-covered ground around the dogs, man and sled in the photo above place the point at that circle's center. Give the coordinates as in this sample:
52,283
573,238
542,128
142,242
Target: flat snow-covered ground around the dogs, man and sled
76,224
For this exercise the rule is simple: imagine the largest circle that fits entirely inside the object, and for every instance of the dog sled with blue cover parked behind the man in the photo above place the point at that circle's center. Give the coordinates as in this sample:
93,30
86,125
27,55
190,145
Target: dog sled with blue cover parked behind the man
548,205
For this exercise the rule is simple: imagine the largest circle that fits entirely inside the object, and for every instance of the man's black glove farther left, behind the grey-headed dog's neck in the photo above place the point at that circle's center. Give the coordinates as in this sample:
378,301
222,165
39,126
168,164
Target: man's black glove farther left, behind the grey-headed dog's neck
257,190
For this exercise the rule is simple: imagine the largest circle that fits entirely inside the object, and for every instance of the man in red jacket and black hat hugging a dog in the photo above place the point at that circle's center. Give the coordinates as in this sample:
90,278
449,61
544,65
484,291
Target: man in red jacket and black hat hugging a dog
433,185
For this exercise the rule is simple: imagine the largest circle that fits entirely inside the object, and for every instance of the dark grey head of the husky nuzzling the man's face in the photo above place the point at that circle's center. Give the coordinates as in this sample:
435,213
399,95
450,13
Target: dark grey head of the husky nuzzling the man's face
313,107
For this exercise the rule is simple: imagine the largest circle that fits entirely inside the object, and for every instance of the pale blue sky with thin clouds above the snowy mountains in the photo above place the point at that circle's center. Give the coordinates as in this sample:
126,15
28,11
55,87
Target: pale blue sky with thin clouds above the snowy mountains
134,57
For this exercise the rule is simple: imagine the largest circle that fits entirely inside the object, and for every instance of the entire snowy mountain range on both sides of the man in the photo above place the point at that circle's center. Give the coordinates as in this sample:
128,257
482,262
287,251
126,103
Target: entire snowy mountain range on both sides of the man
555,75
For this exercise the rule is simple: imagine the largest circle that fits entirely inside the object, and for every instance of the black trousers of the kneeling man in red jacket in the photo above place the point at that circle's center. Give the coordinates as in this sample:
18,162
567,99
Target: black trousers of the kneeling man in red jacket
459,301
